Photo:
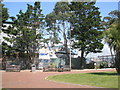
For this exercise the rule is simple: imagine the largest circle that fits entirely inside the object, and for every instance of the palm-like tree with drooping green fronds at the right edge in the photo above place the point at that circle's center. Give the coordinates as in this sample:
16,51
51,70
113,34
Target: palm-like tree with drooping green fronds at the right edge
112,37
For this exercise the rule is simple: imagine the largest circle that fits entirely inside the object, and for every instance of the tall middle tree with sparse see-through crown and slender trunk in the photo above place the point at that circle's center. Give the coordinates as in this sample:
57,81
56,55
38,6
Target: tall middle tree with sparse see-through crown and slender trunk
59,26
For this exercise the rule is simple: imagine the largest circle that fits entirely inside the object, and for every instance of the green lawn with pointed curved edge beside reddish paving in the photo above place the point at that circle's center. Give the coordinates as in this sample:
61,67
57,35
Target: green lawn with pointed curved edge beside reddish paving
101,79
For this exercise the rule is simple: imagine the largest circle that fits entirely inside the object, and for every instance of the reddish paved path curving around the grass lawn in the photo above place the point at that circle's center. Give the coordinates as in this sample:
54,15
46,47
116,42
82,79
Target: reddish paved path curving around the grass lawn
27,79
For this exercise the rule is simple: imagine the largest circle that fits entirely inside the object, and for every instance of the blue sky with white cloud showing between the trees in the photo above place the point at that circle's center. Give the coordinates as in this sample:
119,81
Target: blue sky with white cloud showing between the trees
47,7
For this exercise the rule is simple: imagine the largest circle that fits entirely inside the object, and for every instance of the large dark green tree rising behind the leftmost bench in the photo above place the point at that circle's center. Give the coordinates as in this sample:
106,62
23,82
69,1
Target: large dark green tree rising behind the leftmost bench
24,34
